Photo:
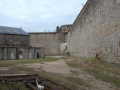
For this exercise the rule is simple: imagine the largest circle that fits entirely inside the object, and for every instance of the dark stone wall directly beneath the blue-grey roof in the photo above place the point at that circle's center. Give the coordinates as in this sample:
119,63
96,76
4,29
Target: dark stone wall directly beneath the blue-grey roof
9,39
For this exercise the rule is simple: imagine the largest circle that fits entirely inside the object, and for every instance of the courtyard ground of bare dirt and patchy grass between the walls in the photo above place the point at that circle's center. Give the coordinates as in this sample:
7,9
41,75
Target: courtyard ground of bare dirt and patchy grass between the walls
69,71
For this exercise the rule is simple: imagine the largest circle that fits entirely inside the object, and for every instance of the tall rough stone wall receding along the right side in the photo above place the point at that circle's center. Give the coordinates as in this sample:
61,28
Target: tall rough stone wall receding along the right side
97,30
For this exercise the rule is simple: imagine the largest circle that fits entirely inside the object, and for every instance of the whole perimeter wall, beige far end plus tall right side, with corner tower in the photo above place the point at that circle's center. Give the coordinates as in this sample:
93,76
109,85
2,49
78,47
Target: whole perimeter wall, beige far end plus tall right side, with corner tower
96,30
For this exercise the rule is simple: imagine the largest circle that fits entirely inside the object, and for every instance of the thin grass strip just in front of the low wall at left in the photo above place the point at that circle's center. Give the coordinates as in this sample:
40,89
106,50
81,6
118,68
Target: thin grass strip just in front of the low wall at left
26,61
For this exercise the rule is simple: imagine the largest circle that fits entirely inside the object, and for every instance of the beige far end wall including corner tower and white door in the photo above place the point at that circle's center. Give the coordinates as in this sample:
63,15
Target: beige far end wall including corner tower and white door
53,42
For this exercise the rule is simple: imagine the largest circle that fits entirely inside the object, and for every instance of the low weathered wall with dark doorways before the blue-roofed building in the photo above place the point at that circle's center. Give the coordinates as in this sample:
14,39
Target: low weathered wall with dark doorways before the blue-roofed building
10,53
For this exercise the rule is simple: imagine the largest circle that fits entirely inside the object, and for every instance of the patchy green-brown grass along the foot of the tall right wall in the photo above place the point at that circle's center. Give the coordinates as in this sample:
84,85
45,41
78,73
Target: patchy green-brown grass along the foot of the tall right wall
97,67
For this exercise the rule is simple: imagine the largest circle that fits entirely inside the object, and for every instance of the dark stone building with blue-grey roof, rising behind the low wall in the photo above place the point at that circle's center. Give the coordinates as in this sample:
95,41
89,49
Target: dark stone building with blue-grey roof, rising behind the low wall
10,36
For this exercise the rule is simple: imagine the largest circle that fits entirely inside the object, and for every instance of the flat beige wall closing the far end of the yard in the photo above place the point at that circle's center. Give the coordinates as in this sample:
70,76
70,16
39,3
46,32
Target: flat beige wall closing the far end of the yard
49,40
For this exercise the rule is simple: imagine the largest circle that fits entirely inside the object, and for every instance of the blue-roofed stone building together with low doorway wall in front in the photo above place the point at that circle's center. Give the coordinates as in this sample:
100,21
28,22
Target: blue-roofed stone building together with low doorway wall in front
14,44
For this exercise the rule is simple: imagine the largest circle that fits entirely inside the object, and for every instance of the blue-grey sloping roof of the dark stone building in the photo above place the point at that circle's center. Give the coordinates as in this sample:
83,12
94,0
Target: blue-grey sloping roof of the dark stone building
12,30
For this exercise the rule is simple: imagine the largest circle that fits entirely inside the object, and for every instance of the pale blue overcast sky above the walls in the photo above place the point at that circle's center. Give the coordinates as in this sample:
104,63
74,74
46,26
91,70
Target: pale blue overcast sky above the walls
39,15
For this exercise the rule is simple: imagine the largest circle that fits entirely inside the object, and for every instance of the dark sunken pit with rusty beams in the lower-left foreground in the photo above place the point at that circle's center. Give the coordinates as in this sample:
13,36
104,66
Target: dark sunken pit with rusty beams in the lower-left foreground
29,81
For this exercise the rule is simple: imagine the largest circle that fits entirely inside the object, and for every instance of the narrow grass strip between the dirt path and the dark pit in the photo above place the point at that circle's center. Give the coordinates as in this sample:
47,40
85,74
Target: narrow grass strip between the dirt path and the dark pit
69,81
